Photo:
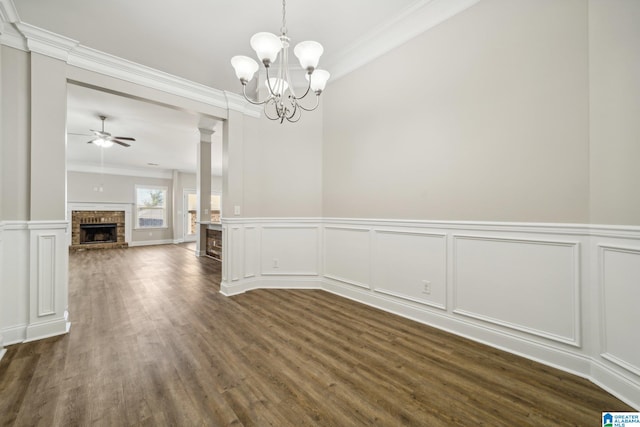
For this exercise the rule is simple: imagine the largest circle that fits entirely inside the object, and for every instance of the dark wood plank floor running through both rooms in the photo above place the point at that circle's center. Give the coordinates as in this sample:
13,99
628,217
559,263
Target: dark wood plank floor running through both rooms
154,343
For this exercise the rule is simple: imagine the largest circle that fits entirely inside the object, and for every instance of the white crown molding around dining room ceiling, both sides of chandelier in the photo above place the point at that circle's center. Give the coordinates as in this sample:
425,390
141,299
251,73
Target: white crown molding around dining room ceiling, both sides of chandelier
412,21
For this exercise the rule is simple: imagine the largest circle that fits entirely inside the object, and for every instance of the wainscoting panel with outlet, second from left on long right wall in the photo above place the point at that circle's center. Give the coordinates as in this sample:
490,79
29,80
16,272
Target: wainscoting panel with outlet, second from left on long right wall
411,265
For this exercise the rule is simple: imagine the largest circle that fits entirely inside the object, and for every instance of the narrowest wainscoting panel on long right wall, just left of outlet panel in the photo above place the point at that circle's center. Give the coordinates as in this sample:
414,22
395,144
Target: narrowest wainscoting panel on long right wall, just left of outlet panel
347,255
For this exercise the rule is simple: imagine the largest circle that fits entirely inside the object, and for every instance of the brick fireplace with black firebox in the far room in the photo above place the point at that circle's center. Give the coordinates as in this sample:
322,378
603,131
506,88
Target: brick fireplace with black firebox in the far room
97,230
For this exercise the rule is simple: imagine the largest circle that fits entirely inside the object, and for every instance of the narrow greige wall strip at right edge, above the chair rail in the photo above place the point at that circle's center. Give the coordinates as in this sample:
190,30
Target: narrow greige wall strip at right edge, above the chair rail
614,83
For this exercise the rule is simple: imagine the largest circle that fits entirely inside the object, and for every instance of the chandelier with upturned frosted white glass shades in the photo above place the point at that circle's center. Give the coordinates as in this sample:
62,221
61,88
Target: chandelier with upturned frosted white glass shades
282,102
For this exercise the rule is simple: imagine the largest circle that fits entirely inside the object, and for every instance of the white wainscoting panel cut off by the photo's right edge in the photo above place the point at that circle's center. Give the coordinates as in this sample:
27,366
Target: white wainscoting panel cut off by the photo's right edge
620,288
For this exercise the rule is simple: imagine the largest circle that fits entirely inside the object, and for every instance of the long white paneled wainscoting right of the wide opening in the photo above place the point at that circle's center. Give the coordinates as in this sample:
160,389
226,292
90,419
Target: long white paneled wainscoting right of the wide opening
536,290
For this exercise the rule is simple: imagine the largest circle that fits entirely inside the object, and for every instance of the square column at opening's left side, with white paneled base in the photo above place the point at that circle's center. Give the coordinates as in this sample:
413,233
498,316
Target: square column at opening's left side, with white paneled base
48,260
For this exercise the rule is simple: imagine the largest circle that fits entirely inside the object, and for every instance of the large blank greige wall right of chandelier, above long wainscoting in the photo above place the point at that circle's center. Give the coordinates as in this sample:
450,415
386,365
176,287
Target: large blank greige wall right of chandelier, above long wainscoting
484,117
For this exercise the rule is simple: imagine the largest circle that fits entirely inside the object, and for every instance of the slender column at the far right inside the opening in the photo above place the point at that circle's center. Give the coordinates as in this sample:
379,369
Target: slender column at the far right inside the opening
203,189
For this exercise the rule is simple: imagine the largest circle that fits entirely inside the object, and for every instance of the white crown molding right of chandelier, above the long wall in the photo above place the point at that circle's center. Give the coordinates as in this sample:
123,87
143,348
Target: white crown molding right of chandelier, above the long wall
411,22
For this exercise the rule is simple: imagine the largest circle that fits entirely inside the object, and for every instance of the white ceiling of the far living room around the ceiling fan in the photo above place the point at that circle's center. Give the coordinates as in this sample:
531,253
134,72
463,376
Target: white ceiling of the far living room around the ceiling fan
165,137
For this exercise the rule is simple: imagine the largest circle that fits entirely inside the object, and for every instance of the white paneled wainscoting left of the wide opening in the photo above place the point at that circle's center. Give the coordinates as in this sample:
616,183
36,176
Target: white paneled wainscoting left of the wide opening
34,280
